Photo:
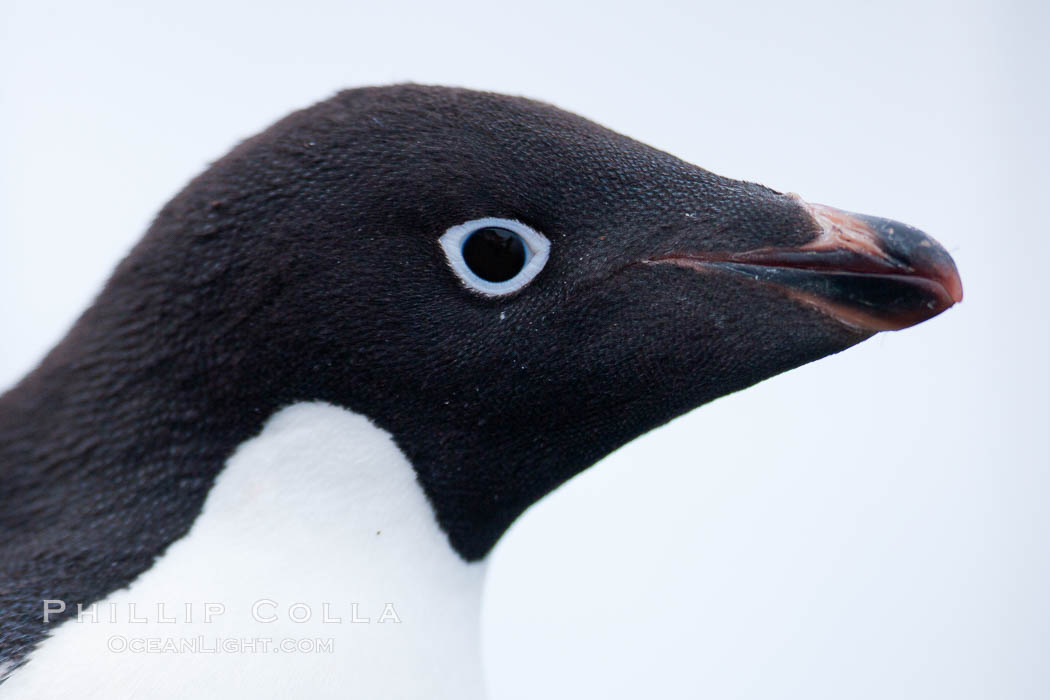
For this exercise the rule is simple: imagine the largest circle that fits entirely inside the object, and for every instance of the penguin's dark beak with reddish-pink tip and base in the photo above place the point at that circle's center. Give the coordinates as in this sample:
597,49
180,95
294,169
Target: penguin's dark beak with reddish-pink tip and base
870,273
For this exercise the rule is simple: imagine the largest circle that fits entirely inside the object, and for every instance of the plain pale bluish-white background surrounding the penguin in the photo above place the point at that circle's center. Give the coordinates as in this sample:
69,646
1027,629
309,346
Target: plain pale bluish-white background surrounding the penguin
872,526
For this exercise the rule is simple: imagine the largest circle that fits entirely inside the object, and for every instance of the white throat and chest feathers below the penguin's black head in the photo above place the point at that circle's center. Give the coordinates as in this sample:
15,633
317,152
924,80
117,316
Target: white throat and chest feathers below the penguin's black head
316,570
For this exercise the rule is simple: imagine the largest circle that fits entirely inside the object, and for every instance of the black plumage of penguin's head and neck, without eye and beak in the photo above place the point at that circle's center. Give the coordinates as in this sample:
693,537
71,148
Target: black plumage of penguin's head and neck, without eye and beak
305,266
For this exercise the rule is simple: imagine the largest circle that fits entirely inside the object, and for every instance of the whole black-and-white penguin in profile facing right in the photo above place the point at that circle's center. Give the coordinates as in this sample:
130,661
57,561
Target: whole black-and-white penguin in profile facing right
272,456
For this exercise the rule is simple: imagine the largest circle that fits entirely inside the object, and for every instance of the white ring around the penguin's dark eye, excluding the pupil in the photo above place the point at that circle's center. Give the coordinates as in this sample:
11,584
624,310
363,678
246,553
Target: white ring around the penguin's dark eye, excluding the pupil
536,245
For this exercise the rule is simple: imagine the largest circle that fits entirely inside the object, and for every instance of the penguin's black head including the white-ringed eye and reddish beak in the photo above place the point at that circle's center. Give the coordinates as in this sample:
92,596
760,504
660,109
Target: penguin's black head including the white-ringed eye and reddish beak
512,291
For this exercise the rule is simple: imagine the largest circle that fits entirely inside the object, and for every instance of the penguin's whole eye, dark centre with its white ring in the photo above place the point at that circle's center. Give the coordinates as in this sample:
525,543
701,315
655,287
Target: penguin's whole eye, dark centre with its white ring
495,257
